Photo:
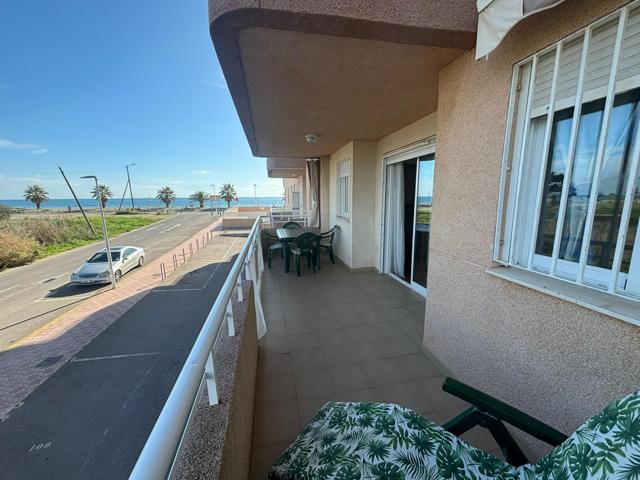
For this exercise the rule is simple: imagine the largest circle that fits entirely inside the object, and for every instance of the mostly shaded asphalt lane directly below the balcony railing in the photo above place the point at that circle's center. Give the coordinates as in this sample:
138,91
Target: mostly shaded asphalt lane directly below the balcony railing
91,418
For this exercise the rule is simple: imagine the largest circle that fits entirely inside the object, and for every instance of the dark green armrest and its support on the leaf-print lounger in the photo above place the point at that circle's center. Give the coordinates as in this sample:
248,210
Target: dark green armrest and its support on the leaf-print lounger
490,413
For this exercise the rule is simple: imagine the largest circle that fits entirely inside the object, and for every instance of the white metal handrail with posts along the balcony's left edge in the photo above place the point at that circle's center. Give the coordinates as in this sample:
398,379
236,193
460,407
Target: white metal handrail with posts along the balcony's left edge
164,444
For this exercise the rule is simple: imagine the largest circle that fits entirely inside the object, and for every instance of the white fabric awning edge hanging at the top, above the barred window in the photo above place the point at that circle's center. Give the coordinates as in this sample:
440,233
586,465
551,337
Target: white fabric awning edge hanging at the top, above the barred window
497,17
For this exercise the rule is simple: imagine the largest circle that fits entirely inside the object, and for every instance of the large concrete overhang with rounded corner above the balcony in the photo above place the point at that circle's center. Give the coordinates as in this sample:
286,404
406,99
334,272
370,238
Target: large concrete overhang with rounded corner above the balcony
341,70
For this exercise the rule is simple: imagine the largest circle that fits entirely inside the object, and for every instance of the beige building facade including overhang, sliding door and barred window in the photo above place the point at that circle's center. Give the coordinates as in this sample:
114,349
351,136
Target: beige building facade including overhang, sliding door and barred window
448,173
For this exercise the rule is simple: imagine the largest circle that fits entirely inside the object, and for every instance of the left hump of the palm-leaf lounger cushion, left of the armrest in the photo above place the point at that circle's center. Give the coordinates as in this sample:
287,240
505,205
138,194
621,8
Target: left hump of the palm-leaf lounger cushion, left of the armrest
377,441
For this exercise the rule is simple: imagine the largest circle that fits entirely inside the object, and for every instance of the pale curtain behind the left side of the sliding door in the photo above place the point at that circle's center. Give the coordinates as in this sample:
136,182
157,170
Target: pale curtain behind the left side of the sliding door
394,221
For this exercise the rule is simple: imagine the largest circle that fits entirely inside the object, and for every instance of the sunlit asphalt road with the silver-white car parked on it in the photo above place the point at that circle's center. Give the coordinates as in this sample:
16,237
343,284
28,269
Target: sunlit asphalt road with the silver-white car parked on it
32,295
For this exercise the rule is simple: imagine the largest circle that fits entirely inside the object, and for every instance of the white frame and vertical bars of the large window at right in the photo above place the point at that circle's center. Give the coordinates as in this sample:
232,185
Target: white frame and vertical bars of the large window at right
513,176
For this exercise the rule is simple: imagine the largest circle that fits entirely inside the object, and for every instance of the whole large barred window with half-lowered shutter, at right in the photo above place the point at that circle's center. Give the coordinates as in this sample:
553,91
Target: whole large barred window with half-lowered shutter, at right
570,199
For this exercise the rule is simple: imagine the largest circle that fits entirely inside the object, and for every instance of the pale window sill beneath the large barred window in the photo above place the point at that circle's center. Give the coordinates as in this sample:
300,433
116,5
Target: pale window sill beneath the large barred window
607,304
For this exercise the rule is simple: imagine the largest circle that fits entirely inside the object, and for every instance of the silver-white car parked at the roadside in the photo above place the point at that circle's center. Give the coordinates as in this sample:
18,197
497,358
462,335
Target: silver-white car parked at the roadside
96,269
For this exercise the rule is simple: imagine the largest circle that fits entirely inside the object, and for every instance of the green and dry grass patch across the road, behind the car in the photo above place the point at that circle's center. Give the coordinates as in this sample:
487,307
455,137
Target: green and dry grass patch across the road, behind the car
58,234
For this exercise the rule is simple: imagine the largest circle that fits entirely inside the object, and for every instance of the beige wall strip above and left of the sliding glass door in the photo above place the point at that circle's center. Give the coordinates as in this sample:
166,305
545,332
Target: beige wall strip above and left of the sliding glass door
423,128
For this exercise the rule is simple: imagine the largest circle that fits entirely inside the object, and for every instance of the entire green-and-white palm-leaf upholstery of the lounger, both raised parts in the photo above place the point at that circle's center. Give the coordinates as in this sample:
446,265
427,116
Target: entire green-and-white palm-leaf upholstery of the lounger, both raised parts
376,441
